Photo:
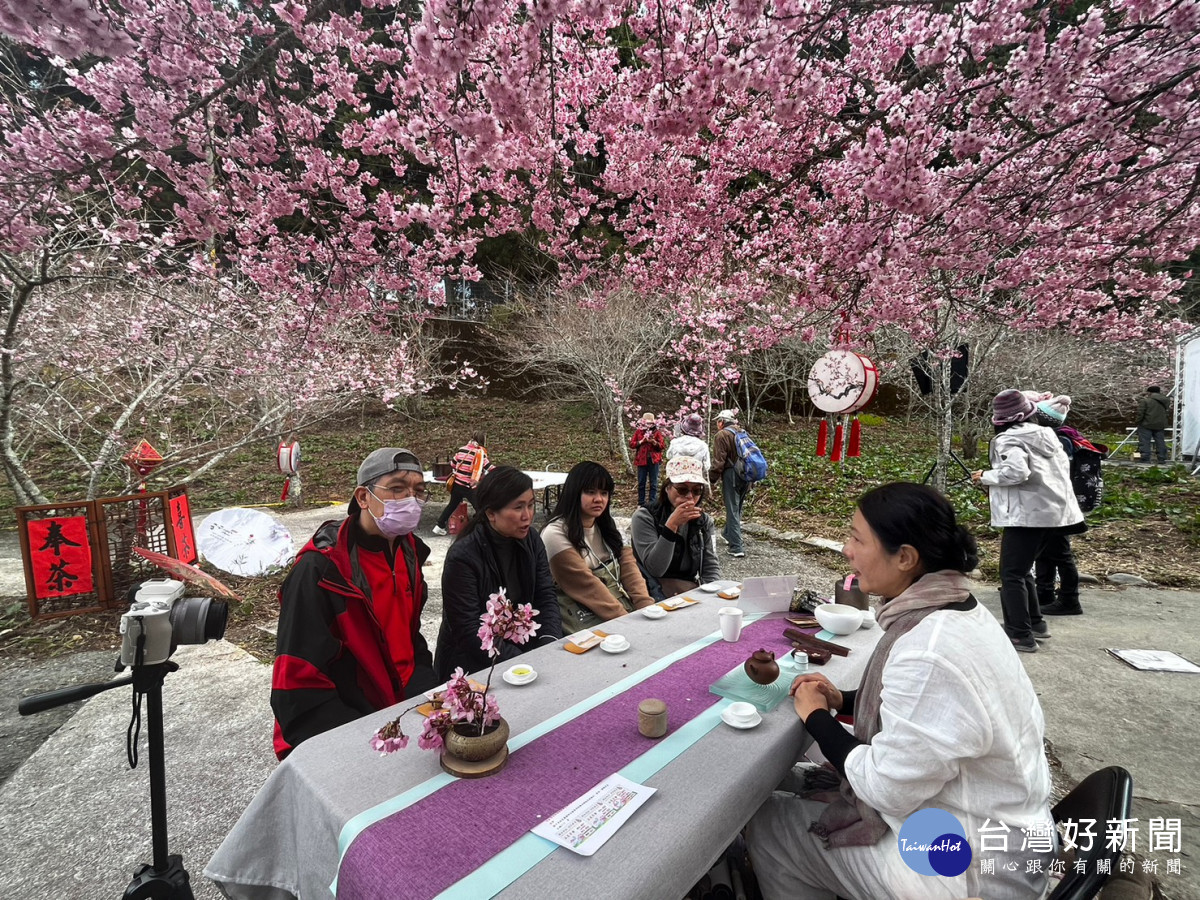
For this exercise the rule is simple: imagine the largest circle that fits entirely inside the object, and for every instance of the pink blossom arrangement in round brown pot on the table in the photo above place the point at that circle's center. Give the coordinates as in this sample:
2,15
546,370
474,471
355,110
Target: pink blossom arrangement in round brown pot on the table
467,727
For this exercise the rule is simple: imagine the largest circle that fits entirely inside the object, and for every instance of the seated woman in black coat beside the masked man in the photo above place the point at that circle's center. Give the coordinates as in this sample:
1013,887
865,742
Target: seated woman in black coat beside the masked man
497,549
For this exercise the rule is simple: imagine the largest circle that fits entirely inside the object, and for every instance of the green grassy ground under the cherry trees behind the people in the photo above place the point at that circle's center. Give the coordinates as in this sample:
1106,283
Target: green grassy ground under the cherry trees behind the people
803,494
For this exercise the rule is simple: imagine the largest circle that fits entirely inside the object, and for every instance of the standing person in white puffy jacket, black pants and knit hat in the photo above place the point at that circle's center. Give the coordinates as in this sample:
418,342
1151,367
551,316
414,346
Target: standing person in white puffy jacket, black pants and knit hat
1033,499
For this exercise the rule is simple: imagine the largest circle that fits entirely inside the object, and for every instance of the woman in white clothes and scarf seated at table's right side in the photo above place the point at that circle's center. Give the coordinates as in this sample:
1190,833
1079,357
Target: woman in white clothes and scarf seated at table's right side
945,718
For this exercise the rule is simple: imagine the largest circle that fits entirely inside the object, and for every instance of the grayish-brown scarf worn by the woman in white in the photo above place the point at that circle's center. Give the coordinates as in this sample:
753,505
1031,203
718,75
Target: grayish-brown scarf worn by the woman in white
848,821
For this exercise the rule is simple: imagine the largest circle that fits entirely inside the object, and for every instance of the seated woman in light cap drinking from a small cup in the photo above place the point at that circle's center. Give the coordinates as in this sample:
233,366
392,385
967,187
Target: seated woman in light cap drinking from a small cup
674,539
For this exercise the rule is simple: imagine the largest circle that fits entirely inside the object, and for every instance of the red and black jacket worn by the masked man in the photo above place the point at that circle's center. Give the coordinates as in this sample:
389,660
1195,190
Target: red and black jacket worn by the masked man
333,663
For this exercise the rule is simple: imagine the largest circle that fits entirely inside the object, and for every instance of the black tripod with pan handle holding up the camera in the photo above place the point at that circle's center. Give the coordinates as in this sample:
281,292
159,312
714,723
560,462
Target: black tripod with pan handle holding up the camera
166,878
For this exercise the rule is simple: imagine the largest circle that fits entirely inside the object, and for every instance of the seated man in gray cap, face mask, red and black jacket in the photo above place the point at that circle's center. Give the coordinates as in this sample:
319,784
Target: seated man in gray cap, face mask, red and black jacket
350,637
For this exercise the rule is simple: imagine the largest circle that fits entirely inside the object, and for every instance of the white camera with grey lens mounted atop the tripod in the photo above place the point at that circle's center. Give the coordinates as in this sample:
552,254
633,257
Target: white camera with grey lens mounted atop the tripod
161,619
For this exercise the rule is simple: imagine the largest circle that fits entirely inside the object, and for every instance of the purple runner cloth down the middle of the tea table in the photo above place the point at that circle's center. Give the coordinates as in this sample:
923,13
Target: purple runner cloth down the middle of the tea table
427,848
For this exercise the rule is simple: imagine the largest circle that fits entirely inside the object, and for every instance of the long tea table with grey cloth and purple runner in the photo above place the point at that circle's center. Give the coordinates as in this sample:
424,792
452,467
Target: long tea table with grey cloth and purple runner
337,817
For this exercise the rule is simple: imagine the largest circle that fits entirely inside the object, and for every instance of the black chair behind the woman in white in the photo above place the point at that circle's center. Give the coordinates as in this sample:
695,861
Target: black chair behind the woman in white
1103,796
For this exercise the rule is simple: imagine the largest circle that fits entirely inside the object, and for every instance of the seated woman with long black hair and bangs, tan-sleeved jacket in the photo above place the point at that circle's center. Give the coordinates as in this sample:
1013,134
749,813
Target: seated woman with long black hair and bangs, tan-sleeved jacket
597,577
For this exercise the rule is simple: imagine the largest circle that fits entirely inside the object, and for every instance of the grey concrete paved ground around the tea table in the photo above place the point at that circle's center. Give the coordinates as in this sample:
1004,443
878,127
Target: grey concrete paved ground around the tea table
77,824
